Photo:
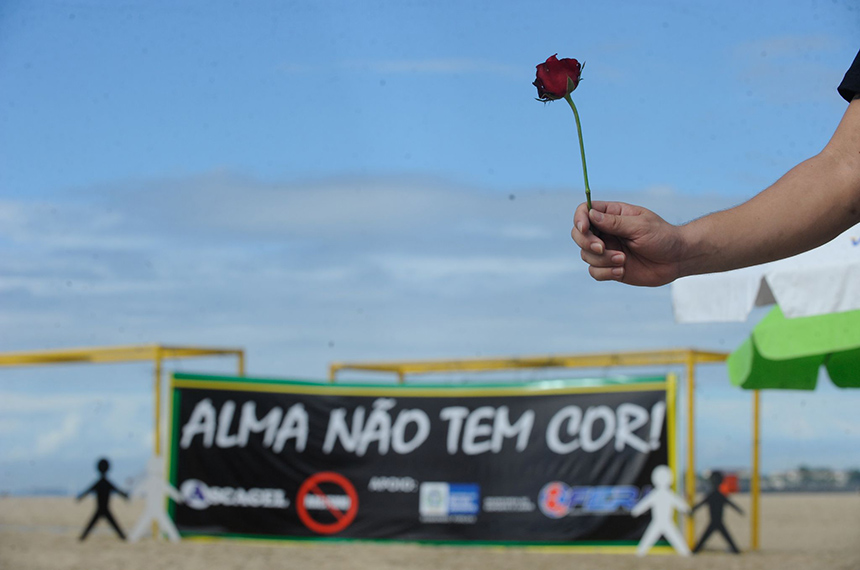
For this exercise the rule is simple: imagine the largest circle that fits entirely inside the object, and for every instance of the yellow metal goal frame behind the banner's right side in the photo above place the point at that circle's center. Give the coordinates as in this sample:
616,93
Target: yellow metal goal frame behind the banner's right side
689,358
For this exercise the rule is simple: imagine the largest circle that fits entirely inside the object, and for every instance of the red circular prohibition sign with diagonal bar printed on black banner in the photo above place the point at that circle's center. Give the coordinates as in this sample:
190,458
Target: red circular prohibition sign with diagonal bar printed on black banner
327,502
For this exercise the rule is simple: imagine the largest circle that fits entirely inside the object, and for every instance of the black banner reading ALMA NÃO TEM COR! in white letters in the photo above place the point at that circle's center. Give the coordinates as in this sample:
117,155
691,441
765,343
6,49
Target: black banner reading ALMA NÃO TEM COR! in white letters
553,462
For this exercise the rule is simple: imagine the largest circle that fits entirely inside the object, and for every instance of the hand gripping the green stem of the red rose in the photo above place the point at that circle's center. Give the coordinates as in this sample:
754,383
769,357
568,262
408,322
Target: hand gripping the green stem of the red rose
634,245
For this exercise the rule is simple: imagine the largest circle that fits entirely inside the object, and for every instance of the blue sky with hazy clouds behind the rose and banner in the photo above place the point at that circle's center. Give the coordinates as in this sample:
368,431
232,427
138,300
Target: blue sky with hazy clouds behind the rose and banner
329,181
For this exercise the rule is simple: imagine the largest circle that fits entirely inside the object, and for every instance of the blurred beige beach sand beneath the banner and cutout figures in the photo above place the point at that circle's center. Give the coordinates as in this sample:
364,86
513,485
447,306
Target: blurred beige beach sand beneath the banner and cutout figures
799,531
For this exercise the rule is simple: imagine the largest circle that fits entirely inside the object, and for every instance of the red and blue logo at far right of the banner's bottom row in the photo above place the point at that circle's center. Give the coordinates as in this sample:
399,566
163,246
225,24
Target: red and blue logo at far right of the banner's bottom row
557,500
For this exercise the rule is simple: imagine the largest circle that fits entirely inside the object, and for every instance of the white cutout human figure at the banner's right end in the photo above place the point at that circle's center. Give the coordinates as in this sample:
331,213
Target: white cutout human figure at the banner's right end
662,502
